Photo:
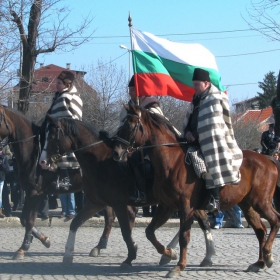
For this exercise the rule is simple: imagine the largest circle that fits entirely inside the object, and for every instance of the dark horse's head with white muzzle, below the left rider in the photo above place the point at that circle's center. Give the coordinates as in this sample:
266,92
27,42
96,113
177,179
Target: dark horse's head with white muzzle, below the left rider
56,139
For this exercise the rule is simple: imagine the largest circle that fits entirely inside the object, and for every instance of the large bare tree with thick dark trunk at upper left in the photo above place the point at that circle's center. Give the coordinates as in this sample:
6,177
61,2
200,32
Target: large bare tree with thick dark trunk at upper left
42,27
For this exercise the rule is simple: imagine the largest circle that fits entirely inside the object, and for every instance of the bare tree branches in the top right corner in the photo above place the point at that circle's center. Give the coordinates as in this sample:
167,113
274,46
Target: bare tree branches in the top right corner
264,17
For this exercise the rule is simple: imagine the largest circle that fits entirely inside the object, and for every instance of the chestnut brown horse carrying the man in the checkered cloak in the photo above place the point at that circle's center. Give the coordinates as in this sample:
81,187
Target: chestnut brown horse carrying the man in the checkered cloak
176,184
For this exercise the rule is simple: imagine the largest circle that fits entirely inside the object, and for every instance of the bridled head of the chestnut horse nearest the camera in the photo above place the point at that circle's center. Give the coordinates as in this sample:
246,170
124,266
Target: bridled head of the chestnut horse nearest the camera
131,134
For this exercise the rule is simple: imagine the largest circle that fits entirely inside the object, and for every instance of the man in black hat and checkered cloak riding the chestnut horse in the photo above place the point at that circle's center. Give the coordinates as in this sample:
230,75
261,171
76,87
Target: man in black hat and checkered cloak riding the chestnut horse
208,126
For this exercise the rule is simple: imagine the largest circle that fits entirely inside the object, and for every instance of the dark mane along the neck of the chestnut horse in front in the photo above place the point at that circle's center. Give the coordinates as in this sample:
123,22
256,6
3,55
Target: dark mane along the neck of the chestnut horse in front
159,121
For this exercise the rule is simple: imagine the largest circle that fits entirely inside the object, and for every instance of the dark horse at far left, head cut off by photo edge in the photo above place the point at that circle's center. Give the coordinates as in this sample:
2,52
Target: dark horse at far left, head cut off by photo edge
23,135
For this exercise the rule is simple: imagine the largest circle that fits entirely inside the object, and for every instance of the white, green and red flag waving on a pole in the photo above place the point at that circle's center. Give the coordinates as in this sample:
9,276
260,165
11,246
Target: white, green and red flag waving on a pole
162,67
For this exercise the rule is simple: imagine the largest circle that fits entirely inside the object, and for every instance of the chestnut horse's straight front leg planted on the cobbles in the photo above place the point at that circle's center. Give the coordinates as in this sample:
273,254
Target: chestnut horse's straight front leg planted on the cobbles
186,219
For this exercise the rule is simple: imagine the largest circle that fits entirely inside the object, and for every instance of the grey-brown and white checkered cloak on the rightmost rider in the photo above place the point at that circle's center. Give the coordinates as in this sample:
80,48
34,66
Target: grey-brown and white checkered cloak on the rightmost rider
222,155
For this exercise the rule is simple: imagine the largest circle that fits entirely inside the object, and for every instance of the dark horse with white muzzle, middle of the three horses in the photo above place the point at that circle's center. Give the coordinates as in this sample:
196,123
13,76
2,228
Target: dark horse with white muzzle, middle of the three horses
109,183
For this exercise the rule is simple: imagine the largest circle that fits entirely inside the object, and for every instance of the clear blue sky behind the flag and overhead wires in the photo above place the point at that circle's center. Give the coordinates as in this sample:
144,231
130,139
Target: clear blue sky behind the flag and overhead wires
243,56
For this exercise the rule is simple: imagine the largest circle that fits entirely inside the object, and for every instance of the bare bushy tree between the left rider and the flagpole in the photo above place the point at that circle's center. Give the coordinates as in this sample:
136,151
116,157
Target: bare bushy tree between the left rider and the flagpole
110,84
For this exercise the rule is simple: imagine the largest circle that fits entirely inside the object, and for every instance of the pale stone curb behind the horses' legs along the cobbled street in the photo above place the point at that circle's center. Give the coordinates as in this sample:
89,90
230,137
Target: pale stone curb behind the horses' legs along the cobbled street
99,223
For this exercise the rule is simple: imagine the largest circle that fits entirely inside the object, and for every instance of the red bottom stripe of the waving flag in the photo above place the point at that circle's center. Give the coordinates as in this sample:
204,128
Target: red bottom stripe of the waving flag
157,84
